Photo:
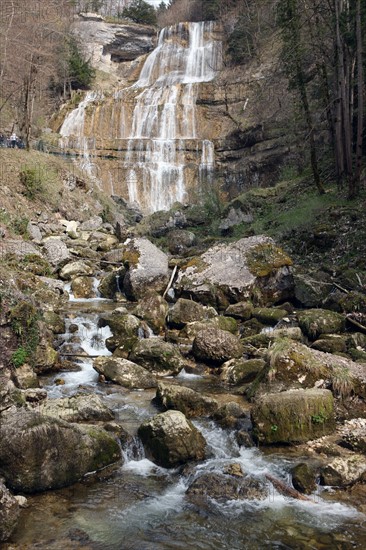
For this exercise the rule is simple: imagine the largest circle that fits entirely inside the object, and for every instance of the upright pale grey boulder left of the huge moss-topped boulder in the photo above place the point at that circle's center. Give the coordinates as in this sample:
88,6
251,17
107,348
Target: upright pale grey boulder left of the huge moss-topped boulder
147,268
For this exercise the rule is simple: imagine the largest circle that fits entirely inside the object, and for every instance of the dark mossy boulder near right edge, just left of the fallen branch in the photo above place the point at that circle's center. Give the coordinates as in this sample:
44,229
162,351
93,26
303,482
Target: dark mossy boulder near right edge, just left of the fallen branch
314,322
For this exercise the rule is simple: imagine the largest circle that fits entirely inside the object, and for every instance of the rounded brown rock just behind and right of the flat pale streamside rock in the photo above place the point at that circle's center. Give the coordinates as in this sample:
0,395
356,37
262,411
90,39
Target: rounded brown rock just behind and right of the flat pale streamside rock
161,358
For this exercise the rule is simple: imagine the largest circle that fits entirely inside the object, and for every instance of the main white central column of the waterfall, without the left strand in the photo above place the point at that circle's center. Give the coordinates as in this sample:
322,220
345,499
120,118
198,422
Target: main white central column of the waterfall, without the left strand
164,117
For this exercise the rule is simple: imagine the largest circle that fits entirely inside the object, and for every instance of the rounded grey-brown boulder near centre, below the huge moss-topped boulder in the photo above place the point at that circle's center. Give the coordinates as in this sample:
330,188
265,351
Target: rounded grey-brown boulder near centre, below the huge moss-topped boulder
215,346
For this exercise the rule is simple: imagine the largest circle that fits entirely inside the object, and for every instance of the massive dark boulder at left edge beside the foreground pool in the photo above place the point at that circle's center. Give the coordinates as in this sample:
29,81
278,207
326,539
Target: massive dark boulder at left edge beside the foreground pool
38,453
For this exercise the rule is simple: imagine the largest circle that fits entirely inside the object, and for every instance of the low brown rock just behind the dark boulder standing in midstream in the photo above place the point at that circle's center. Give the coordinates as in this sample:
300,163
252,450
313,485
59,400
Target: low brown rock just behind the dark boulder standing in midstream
185,400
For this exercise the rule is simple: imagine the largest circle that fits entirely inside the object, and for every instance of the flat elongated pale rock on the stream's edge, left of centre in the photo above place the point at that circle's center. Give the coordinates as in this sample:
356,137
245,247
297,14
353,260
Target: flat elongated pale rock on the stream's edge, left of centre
124,372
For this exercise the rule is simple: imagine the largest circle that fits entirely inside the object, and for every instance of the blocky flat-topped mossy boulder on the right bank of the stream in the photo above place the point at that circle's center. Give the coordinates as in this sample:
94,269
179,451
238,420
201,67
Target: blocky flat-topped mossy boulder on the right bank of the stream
293,416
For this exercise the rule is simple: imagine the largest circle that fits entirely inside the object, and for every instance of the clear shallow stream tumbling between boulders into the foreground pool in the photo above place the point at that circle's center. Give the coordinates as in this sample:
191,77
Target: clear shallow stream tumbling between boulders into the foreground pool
145,507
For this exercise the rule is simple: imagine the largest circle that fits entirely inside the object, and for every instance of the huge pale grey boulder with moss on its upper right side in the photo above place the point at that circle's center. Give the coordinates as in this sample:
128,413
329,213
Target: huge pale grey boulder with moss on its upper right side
253,267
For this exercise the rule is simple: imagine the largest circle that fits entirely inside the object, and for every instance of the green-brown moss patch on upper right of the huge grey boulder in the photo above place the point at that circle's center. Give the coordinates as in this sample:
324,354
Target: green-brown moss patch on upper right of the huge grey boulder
265,258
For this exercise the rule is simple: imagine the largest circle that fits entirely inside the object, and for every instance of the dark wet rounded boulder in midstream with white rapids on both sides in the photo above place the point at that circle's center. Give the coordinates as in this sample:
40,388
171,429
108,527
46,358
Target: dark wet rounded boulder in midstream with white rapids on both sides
170,439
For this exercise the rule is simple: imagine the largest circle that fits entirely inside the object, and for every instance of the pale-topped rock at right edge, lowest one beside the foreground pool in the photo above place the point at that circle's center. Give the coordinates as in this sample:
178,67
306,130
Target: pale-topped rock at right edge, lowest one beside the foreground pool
343,471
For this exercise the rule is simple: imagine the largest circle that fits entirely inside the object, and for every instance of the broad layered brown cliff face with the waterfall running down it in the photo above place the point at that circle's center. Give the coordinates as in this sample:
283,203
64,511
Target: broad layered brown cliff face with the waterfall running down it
166,124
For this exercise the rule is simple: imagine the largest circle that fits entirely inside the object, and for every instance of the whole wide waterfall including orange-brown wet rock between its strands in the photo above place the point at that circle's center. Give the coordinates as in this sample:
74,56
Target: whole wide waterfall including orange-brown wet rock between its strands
150,142
